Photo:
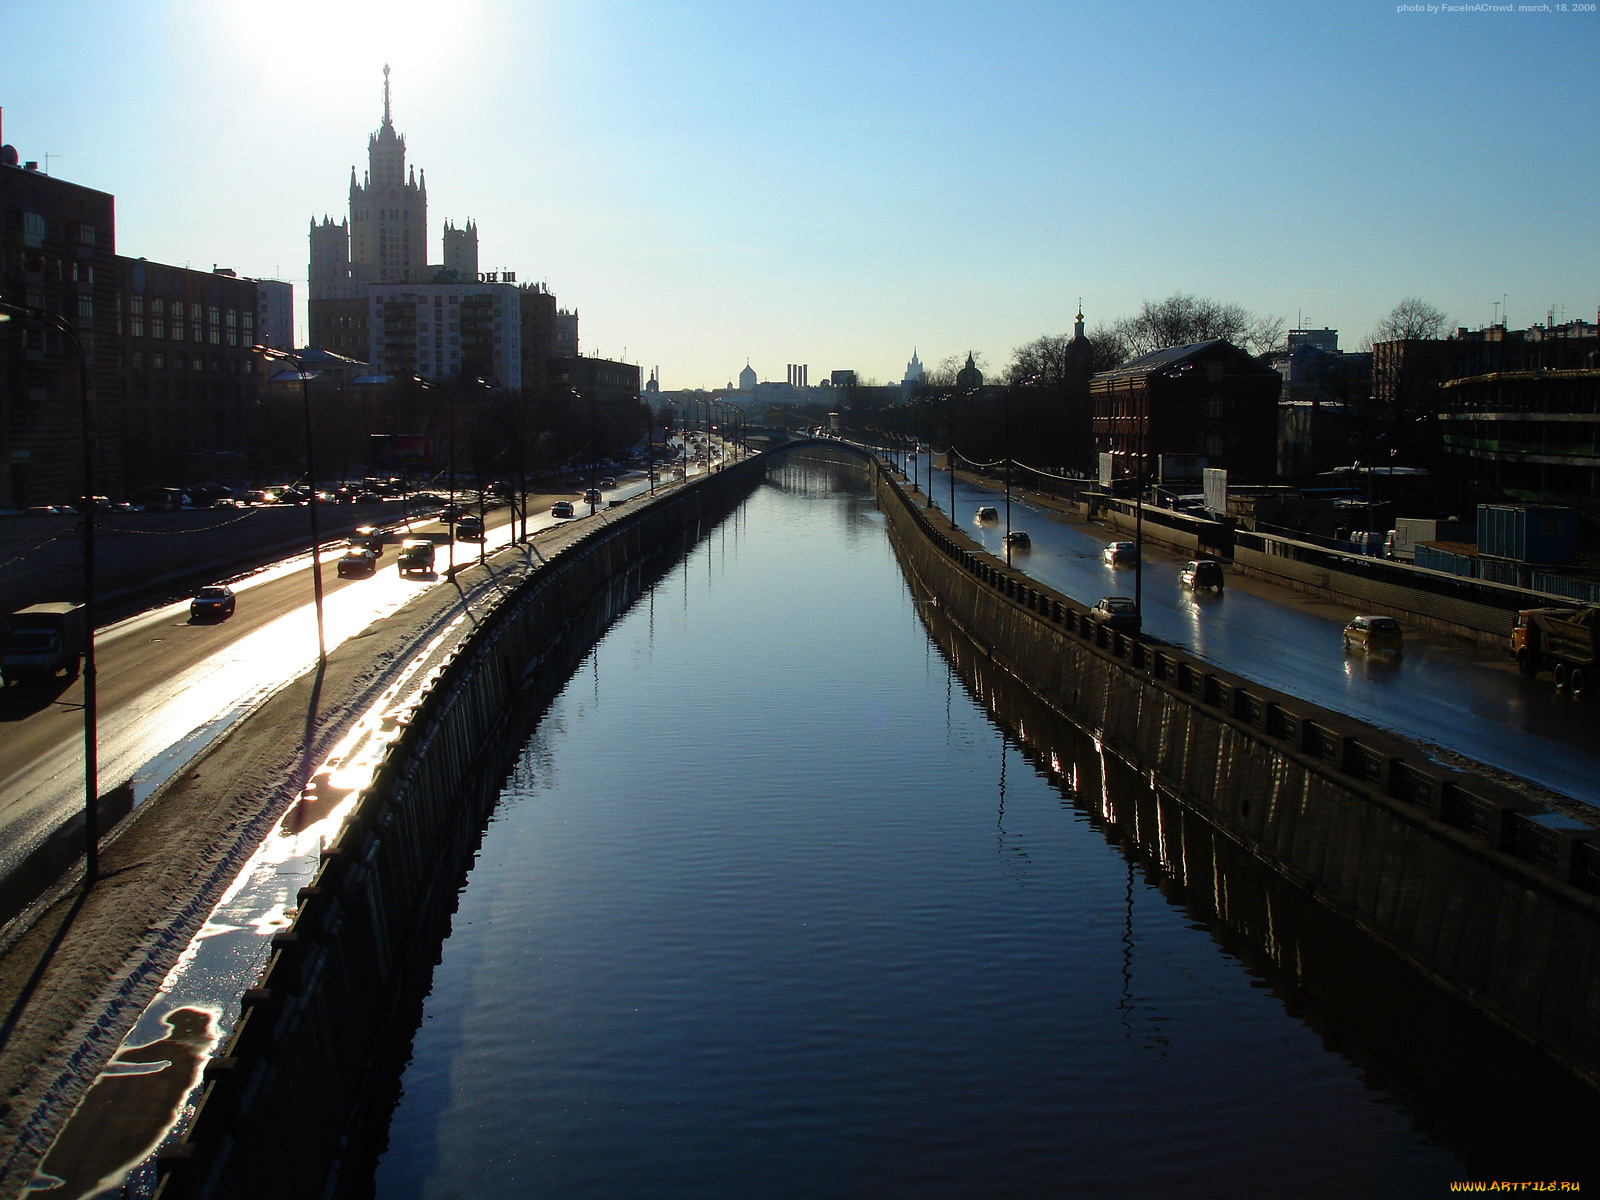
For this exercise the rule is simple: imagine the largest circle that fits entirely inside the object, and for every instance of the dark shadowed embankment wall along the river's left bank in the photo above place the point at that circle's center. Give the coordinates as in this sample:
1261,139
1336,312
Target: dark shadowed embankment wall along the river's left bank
287,1103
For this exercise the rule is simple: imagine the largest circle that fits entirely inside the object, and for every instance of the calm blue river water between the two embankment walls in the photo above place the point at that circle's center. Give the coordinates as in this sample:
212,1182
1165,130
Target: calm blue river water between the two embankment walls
774,908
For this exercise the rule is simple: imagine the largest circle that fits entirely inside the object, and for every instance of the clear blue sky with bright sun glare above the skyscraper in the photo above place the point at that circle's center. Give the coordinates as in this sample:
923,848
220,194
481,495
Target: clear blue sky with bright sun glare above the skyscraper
839,185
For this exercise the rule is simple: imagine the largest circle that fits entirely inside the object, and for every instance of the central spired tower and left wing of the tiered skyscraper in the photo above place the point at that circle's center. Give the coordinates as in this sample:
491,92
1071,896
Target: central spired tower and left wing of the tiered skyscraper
385,241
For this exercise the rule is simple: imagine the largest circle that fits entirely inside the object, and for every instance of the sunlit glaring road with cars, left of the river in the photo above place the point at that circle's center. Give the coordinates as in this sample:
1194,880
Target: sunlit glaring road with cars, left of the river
167,687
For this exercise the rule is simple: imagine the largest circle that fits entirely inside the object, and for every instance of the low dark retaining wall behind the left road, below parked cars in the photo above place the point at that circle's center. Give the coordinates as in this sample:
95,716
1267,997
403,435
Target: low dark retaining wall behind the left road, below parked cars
142,551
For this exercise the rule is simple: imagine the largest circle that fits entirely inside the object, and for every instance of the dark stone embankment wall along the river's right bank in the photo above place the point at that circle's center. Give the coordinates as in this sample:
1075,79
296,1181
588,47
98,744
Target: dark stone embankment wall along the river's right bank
1487,894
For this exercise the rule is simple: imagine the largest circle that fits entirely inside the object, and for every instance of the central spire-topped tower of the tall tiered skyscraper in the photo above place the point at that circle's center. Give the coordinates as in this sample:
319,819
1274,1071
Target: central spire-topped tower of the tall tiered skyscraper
388,212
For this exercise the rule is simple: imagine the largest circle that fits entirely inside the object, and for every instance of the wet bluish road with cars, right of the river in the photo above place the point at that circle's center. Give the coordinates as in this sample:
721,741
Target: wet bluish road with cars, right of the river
1446,692
